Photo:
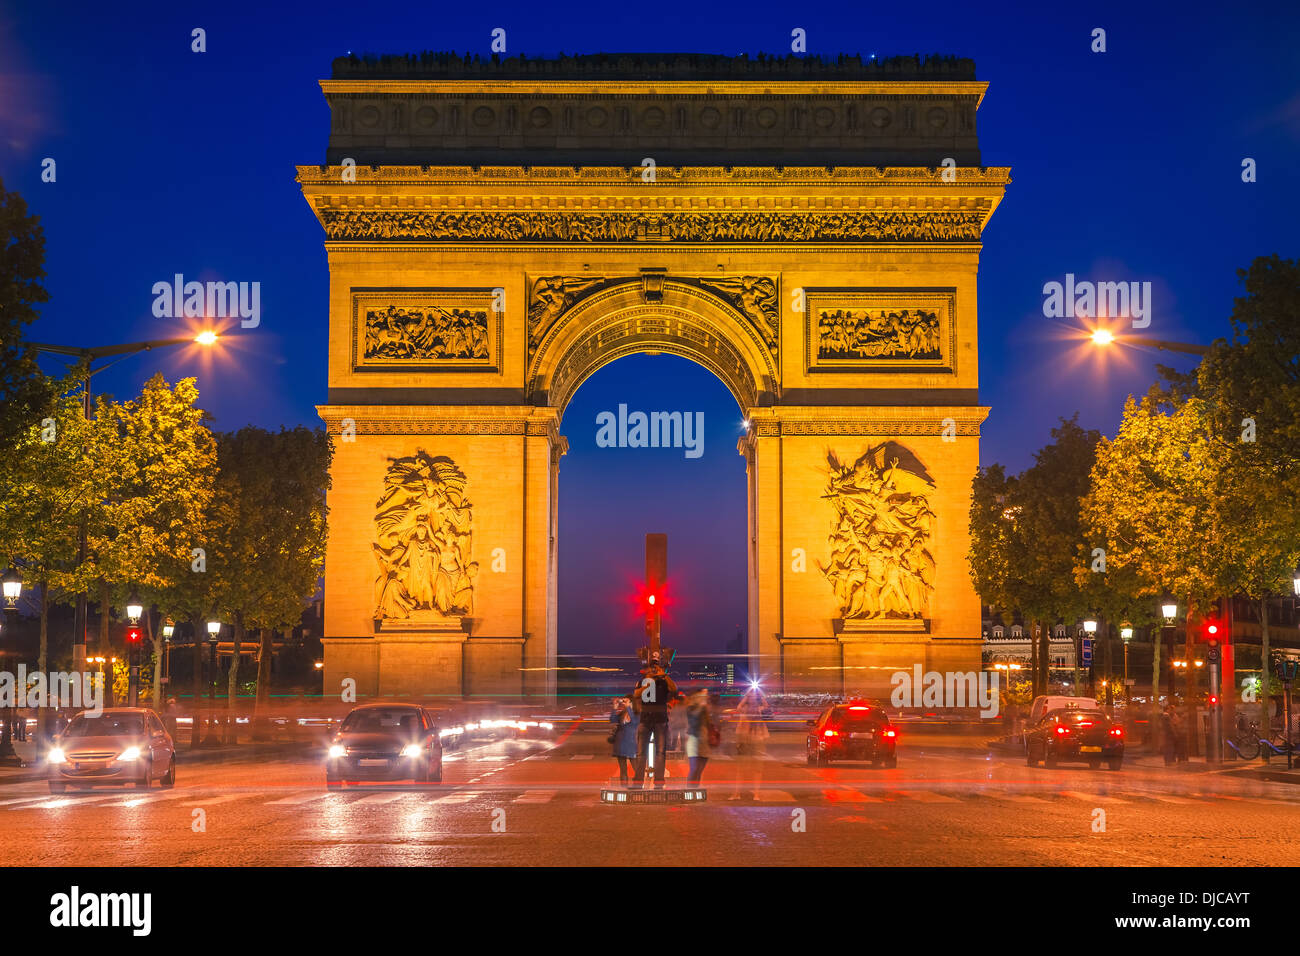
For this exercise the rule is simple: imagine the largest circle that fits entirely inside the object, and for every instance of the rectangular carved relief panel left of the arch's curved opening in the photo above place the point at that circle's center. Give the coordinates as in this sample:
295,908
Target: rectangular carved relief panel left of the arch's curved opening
426,331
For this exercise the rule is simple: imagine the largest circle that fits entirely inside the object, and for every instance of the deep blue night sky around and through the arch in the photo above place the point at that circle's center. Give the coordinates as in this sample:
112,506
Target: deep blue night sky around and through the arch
1126,166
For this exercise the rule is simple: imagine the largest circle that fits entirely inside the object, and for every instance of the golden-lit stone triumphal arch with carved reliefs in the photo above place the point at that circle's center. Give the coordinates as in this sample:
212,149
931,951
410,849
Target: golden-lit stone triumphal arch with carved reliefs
496,235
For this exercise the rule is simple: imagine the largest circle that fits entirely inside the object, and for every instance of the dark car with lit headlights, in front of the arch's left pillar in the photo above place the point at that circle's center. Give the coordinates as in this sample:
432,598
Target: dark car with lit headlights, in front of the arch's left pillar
385,742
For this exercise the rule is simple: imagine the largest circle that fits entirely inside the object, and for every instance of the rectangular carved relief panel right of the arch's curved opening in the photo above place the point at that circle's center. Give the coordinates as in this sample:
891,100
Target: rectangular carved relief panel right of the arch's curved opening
881,331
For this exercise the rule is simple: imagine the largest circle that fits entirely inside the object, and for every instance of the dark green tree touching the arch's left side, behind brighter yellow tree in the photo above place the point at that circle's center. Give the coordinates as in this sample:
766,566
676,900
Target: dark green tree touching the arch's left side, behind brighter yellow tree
267,534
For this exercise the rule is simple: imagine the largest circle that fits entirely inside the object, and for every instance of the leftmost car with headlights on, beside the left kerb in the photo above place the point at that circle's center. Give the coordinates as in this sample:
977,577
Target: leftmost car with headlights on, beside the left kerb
116,746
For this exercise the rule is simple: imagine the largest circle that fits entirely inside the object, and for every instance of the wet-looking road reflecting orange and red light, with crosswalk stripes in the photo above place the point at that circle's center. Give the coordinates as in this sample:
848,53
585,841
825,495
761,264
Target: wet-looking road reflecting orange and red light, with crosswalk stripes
514,803
